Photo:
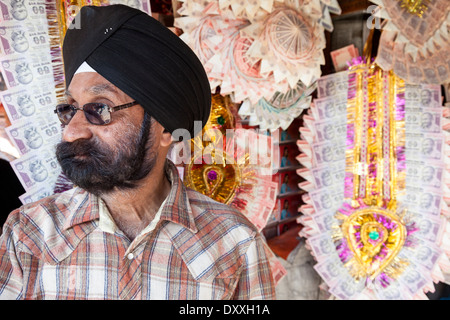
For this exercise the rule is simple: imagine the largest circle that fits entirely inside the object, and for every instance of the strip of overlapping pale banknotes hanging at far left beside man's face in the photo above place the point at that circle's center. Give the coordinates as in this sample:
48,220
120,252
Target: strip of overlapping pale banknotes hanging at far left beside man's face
31,69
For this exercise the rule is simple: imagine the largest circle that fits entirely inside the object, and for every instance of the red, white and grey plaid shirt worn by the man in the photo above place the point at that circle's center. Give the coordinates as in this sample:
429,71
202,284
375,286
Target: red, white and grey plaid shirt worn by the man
63,247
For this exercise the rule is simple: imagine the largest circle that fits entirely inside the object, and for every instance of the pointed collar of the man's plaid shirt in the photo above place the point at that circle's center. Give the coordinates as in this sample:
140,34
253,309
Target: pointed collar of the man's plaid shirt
84,207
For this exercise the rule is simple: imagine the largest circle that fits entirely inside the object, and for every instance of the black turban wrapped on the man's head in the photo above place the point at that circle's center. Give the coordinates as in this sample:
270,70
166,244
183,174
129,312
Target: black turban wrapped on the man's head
142,58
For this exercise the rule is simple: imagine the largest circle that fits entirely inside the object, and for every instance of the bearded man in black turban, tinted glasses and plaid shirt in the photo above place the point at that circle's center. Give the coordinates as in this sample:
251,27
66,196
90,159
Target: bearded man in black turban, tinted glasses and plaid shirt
130,229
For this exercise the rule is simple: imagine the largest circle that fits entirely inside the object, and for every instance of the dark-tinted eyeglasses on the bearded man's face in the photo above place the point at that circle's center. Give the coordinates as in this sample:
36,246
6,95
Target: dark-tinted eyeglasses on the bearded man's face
96,113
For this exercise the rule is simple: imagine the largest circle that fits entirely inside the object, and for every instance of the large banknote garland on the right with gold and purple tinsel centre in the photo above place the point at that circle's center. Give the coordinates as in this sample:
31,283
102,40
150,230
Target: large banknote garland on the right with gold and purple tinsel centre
376,215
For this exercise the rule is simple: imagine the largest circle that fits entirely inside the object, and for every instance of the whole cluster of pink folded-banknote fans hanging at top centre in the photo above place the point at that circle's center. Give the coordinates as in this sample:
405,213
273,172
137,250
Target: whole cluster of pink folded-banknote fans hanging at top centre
266,54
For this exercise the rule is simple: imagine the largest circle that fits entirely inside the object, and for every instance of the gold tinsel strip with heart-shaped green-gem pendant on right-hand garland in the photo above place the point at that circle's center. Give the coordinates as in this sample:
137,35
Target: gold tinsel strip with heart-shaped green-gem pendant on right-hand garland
372,227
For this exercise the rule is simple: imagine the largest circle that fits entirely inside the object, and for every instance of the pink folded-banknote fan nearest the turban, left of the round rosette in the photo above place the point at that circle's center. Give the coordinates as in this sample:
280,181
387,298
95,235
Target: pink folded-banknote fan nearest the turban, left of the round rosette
215,36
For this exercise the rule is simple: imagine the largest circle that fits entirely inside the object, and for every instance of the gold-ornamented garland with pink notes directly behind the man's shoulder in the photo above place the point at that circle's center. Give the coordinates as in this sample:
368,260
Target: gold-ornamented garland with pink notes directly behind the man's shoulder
221,169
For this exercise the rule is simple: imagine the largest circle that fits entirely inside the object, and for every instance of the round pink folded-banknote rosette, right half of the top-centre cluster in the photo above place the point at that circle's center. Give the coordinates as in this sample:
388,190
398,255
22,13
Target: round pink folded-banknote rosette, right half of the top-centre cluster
289,41
